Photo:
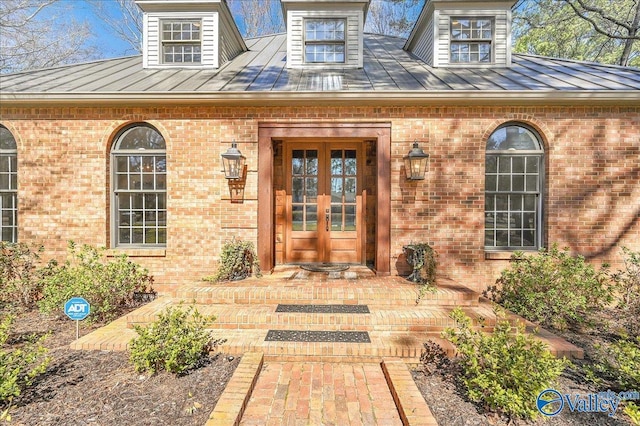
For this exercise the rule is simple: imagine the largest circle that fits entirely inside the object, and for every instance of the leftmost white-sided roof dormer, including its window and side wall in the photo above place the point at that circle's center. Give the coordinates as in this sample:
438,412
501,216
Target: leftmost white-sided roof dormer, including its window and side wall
199,34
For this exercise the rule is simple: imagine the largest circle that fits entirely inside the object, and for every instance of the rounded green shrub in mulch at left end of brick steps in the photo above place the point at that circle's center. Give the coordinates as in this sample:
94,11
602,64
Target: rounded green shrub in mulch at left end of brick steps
175,342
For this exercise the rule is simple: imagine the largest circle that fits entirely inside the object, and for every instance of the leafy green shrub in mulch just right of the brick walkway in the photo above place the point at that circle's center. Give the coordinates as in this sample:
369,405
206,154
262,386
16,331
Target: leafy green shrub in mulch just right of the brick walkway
505,370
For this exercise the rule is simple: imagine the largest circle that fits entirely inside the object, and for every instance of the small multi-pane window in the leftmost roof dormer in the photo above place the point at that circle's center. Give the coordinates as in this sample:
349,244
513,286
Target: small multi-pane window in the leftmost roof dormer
181,42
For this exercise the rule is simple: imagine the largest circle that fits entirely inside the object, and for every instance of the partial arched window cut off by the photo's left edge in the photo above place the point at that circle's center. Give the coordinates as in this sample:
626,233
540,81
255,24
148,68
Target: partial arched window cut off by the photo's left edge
8,186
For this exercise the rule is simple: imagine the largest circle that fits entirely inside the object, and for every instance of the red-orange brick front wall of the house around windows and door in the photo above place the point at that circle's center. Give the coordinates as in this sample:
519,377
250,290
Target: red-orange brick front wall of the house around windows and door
592,199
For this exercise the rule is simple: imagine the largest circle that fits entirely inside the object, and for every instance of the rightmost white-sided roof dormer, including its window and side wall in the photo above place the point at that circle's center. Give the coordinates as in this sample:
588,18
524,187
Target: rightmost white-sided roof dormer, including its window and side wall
463,33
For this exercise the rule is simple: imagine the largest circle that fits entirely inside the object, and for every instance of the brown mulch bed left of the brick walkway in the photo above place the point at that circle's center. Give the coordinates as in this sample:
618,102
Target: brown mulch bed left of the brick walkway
102,388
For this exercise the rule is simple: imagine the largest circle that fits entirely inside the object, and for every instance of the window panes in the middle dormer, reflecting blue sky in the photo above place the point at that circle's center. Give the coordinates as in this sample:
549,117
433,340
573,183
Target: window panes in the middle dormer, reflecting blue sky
324,40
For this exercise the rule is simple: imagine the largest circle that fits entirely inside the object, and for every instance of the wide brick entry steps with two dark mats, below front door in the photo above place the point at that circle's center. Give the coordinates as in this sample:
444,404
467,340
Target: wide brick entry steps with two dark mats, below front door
246,310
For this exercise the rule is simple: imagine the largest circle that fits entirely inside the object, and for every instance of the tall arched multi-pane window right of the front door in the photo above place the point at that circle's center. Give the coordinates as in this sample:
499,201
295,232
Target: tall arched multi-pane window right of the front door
514,179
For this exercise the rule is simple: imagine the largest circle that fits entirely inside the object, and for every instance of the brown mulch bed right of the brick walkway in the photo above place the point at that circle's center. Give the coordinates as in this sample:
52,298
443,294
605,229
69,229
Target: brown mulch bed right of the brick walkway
445,395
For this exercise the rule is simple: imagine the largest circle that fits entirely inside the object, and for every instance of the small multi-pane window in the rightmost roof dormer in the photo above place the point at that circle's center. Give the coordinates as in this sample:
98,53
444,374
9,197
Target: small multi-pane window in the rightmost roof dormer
471,40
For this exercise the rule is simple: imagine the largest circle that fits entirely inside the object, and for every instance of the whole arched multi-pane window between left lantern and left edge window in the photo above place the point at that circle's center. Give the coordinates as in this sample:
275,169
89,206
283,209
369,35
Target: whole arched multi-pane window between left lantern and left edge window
139,164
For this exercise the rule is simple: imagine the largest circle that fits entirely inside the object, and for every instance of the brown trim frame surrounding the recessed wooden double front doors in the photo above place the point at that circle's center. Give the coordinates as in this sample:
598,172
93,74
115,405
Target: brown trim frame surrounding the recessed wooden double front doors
378,131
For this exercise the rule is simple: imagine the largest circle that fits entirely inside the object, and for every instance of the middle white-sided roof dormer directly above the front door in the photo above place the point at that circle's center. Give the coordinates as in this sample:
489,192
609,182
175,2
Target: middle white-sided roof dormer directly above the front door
325,33
